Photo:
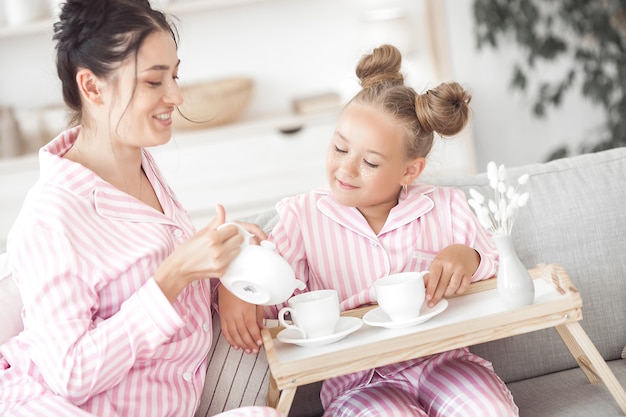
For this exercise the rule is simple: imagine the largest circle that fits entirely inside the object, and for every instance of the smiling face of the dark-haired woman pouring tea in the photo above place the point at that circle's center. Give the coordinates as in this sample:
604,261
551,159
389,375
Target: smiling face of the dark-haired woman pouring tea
145,93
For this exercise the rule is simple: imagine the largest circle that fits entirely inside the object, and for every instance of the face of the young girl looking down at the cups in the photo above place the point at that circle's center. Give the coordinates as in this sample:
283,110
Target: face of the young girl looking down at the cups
366,163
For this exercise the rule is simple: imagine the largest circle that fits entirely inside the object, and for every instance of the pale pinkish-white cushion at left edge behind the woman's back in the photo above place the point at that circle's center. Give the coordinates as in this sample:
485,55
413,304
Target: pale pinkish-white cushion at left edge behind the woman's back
11,305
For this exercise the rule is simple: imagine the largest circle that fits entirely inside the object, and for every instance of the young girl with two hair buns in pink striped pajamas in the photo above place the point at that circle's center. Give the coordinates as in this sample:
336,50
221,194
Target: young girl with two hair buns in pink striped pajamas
374,220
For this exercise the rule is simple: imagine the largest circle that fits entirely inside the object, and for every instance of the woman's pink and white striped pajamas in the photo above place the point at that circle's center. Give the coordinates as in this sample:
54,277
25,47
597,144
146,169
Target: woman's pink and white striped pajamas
100,337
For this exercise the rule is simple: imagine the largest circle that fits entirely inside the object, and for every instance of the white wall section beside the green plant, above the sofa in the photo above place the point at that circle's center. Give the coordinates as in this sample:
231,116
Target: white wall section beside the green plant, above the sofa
504,128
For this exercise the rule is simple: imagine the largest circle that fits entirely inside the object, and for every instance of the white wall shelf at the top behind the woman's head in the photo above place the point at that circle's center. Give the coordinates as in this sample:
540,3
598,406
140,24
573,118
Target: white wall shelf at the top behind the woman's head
175,7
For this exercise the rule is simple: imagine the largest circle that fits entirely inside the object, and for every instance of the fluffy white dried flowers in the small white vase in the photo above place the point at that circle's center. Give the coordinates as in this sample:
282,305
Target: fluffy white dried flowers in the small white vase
498,214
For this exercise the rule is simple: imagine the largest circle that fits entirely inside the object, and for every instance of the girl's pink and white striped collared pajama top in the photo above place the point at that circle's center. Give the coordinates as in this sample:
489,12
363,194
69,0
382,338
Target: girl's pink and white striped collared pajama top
332,246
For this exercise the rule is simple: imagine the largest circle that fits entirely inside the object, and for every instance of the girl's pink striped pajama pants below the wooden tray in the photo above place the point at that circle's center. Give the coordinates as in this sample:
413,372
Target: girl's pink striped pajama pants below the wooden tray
450,384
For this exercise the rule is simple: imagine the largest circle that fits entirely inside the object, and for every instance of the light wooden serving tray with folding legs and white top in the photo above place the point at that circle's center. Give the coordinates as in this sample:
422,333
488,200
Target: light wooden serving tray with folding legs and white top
476,317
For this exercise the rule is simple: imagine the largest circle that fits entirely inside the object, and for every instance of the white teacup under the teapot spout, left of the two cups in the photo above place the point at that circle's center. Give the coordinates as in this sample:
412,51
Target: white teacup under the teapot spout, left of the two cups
314,313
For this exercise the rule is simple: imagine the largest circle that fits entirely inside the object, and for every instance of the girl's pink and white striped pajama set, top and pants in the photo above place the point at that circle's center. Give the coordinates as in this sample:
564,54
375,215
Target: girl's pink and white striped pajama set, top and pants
332,246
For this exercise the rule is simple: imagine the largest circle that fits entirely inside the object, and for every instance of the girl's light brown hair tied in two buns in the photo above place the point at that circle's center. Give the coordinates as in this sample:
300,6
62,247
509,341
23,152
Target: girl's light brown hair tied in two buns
443,109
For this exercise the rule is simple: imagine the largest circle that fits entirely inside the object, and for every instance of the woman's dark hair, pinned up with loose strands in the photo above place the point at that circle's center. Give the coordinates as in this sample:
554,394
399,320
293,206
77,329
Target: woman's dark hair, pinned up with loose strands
99,35
